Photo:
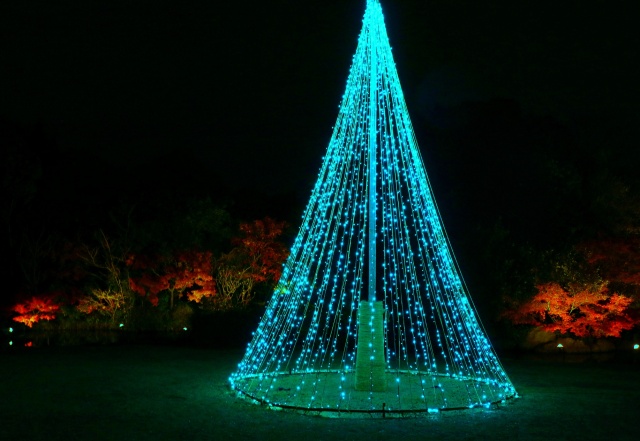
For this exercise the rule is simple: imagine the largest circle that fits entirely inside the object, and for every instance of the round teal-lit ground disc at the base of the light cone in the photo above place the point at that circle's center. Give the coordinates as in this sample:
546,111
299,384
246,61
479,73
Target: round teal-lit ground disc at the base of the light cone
333,393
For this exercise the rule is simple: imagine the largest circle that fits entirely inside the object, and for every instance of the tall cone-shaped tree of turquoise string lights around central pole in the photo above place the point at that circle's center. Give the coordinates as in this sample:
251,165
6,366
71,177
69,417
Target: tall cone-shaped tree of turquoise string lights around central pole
371,314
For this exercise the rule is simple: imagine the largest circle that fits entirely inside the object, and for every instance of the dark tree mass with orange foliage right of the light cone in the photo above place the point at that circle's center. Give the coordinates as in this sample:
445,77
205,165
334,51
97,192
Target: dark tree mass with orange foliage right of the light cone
530,204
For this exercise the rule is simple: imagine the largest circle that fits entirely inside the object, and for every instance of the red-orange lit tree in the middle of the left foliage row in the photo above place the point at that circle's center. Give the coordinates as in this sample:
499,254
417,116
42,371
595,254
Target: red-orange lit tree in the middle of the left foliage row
188,273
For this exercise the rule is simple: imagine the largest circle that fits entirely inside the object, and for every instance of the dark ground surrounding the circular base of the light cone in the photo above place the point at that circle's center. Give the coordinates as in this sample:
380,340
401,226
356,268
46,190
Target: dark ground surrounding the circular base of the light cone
170,392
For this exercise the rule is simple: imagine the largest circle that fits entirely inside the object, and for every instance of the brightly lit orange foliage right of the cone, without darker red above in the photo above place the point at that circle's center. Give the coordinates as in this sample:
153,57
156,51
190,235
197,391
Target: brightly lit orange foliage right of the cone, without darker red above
582,312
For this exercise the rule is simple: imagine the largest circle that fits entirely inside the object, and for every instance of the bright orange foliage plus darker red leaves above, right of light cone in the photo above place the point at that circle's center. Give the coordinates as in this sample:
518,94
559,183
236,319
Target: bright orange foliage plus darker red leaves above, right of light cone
601,301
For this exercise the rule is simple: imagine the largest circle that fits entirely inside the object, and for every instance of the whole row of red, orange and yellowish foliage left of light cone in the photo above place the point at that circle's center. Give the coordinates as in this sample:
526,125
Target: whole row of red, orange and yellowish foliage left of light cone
131,280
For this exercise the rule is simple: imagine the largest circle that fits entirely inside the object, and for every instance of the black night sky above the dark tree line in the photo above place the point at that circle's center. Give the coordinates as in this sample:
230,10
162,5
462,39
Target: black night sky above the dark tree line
250,90
